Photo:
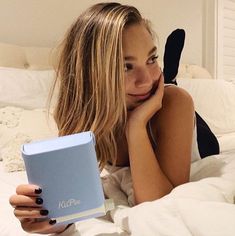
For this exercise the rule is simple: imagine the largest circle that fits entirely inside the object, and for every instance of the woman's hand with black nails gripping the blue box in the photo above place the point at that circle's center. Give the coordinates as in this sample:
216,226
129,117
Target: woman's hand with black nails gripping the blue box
28,208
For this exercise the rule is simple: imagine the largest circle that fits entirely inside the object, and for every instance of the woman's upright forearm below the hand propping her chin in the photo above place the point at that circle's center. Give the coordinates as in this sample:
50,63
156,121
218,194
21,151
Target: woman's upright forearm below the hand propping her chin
149,182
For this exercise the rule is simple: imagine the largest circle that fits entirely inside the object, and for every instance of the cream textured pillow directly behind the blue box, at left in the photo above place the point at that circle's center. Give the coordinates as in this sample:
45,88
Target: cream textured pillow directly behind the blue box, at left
18,126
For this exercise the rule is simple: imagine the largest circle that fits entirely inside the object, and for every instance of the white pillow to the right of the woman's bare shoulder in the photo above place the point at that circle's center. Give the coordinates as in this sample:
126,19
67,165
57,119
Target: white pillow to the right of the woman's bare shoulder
214,100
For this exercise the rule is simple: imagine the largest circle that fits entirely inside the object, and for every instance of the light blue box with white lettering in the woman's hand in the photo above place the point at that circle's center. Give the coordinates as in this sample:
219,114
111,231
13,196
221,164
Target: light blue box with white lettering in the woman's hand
66,169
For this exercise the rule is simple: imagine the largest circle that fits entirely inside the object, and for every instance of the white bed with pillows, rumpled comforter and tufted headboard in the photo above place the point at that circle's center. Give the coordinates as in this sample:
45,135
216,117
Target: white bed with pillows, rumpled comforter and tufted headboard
205,206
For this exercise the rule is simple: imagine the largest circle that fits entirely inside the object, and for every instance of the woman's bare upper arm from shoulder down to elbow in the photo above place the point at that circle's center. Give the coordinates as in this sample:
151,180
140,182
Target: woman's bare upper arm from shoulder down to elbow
174,127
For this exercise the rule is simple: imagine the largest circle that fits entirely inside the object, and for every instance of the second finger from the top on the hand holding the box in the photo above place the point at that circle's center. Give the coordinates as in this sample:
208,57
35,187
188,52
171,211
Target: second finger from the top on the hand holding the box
21,200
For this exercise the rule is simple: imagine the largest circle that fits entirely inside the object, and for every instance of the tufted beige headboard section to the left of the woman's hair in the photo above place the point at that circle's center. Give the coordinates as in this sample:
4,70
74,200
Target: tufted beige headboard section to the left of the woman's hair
35,58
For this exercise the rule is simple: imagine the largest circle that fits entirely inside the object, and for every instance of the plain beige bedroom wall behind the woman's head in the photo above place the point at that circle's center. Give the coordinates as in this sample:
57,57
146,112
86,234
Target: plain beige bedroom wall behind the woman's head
43,23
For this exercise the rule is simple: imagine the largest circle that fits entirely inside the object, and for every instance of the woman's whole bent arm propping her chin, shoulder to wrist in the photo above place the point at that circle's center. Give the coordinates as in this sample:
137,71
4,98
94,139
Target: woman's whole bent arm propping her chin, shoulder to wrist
155,174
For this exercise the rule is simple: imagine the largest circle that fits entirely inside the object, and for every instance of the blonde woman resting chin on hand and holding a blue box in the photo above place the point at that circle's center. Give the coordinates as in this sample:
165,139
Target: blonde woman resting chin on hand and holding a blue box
110,82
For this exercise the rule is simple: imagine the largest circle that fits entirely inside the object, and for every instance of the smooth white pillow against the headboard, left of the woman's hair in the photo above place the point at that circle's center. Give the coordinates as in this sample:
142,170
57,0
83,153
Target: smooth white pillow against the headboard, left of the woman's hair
25,88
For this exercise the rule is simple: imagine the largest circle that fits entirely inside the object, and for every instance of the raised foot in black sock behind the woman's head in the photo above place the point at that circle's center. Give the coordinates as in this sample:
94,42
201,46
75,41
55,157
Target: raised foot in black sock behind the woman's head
173,48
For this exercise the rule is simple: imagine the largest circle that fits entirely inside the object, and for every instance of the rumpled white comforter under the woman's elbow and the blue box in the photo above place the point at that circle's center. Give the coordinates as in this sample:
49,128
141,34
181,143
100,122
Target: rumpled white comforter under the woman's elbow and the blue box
205,206
